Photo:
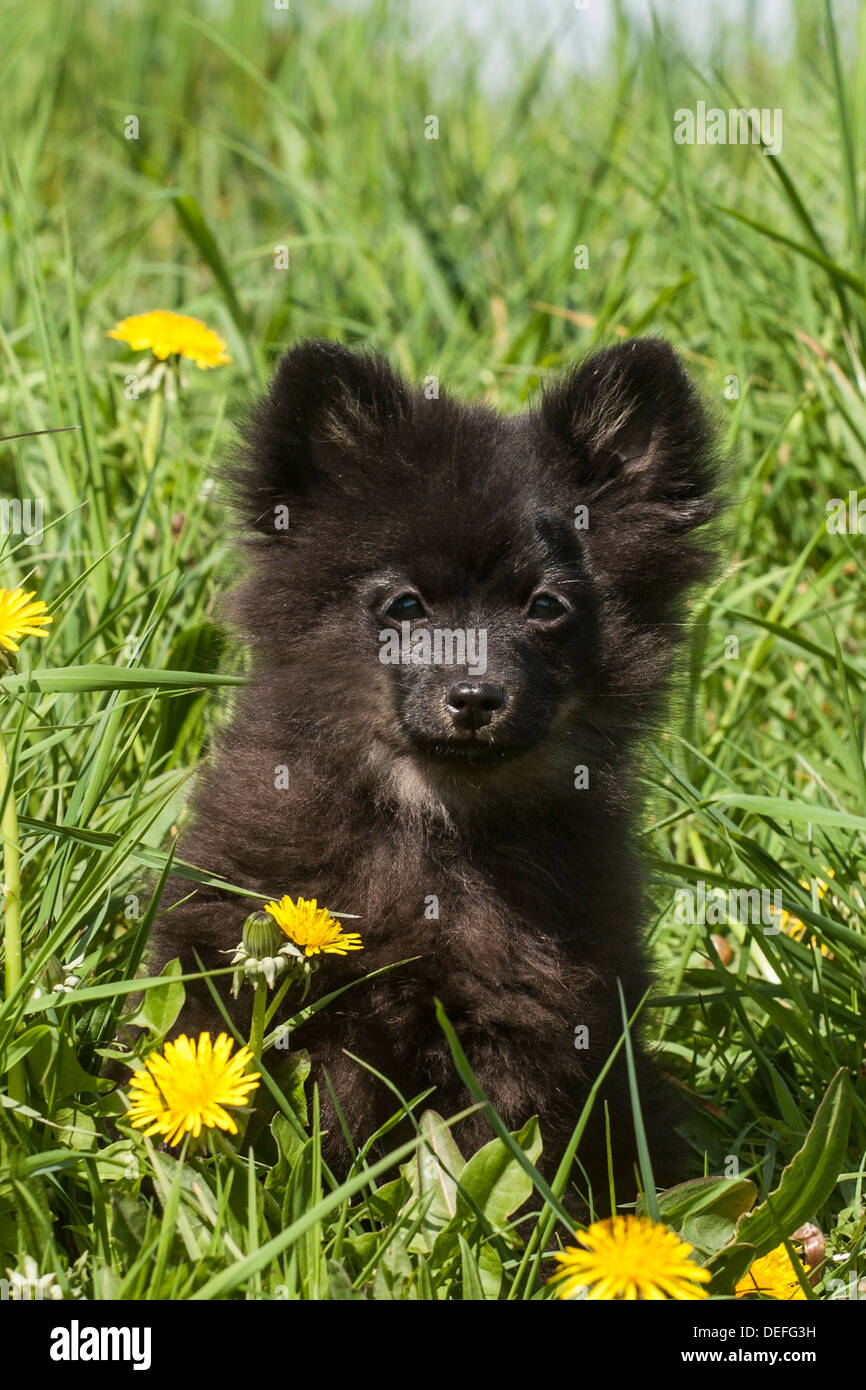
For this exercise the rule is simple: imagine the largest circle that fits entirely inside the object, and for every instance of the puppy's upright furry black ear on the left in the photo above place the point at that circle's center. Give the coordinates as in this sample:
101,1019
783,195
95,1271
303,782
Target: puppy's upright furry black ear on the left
326,412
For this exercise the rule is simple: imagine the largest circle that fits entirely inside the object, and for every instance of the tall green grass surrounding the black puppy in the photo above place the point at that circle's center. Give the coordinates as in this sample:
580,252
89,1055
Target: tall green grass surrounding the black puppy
455,256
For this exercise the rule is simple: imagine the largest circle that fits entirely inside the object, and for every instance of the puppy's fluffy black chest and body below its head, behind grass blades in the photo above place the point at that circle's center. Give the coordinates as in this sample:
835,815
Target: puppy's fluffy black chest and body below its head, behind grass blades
519,928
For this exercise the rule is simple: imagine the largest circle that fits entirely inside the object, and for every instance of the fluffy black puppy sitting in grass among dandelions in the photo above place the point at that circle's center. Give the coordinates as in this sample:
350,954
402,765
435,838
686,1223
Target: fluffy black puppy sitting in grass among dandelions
471,515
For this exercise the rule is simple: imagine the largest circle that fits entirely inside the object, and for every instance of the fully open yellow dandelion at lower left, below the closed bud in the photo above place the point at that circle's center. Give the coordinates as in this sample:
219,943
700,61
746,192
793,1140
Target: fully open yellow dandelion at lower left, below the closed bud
187,1088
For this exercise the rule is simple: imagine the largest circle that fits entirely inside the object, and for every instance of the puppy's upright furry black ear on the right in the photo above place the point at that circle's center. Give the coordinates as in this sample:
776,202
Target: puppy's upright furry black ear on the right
642,459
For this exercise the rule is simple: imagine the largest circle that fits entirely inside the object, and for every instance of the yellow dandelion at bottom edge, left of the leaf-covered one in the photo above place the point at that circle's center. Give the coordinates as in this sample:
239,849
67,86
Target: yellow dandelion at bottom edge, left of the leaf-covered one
632,1259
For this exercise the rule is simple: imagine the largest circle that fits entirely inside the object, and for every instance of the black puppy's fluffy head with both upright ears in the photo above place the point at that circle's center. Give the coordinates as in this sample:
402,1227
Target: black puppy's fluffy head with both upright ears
458,591
